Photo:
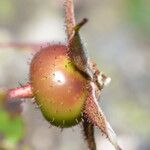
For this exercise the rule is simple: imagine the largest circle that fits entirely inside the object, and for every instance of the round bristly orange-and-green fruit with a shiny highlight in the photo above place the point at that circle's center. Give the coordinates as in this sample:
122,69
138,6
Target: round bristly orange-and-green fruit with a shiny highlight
59,88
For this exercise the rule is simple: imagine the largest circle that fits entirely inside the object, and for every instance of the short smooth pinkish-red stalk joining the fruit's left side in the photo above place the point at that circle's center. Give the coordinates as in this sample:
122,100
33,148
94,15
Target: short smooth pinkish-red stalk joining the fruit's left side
24,91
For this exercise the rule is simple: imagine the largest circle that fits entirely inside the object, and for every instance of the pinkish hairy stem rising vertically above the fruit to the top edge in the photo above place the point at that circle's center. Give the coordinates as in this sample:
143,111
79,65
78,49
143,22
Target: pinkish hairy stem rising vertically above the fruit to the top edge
70,18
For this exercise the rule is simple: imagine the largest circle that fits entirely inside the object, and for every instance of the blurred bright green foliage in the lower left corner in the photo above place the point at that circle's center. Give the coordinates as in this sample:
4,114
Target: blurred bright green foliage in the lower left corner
11,126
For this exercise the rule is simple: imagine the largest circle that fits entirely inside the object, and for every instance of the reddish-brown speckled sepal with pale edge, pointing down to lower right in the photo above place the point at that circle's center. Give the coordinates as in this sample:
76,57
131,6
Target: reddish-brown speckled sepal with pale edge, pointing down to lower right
94,113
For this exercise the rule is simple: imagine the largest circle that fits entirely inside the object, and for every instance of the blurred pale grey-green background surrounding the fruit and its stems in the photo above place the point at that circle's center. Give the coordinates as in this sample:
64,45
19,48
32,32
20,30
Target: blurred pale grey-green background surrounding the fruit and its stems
118,40
